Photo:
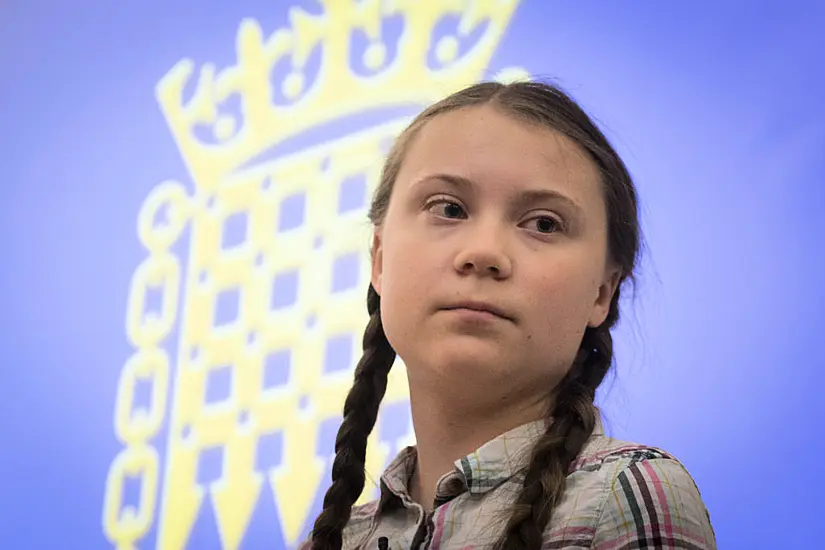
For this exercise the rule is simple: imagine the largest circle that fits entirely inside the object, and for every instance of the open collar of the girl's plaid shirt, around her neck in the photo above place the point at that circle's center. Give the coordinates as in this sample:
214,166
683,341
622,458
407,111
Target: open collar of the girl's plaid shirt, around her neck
478,472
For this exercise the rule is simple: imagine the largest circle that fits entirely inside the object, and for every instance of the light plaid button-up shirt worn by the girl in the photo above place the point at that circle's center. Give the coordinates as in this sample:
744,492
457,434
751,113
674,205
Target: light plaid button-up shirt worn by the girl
619,496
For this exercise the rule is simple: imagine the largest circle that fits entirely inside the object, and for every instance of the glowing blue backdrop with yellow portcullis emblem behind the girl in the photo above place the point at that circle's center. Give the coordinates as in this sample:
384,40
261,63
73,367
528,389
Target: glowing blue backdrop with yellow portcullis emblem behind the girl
111,347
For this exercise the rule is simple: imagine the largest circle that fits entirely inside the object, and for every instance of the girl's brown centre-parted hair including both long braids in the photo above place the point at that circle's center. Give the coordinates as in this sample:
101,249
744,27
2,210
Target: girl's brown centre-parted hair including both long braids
573,413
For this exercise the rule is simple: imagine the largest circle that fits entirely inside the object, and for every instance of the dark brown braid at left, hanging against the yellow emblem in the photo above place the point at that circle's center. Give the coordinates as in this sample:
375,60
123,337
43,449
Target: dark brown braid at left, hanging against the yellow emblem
360,414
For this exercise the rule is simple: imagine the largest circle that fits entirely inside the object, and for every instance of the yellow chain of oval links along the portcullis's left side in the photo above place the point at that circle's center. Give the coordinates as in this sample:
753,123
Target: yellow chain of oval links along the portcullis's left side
125,525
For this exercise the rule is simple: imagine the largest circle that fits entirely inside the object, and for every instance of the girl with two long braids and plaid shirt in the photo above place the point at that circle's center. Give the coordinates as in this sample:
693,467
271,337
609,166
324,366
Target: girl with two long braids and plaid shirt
505,227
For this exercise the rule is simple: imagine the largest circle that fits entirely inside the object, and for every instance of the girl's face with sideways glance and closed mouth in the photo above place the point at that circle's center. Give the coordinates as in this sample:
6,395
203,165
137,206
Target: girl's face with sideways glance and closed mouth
492,213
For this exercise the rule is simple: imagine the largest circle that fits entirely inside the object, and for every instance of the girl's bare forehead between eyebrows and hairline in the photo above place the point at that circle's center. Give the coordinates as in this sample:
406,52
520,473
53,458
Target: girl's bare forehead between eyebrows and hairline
501,152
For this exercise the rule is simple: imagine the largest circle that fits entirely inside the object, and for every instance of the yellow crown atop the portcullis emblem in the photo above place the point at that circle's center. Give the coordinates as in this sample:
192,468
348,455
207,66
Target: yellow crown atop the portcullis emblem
415,69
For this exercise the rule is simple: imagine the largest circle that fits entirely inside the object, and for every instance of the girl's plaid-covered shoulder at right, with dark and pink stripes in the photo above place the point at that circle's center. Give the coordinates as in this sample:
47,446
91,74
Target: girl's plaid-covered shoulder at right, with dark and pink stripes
649,499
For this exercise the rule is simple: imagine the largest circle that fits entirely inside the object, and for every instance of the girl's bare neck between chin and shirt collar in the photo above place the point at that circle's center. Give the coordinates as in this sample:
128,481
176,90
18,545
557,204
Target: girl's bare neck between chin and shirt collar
448,428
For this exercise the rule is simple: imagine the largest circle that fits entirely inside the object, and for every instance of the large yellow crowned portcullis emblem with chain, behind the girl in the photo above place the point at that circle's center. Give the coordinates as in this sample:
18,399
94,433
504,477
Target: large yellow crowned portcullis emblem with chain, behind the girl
297,282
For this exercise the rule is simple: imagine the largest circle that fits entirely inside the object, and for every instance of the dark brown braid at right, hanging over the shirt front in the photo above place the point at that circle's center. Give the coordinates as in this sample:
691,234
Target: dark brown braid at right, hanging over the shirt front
573,422
